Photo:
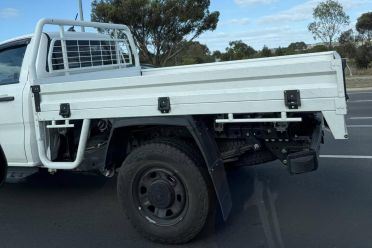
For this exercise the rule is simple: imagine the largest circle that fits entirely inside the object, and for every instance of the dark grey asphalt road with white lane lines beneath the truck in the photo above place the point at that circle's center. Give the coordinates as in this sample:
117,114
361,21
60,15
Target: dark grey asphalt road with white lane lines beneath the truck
331,207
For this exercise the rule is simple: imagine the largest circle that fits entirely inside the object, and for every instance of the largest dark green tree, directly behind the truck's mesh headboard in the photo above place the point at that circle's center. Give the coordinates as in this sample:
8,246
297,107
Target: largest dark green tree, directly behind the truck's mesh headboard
158,26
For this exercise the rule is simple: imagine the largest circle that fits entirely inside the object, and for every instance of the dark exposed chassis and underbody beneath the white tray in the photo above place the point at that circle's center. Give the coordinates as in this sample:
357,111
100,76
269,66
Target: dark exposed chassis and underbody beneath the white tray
239,144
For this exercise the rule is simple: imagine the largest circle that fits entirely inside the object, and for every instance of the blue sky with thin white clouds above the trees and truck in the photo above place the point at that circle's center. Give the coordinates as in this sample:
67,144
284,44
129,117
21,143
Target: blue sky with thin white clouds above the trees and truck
257,22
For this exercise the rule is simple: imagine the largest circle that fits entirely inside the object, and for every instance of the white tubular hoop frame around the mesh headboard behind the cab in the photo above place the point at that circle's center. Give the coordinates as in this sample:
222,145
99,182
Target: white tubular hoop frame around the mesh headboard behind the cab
62,24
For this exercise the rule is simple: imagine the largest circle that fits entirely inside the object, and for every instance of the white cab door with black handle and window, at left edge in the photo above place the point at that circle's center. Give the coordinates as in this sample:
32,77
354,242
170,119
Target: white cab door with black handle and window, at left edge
11,110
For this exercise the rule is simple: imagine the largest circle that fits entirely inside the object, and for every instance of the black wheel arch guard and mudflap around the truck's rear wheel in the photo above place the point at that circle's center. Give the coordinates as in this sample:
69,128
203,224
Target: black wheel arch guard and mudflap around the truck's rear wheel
205,142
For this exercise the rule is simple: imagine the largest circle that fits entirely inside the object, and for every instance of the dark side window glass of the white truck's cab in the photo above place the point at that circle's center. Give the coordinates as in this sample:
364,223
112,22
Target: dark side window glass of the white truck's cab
10,64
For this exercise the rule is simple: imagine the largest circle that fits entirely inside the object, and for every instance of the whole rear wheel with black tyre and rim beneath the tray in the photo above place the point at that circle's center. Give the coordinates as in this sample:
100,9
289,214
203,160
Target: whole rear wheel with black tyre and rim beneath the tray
164,191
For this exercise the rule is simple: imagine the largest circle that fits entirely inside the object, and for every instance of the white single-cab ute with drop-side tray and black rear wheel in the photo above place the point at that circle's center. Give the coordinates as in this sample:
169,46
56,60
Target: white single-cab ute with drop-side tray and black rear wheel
81,101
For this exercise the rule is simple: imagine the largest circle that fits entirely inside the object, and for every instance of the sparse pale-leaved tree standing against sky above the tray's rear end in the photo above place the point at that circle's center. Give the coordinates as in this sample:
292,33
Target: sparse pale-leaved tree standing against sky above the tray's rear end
329,19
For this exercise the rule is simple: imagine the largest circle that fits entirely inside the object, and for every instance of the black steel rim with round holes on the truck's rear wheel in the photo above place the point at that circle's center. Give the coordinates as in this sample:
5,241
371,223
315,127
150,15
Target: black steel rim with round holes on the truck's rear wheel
160,196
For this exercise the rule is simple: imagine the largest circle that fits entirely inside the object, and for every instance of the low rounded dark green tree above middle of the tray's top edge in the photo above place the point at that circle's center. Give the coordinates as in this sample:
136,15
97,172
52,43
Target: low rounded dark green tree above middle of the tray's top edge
238,50
